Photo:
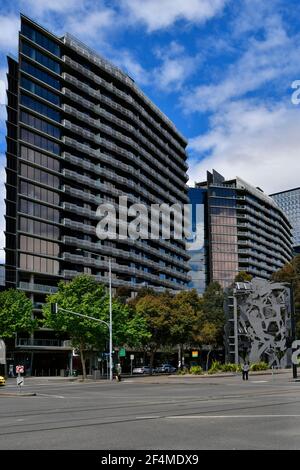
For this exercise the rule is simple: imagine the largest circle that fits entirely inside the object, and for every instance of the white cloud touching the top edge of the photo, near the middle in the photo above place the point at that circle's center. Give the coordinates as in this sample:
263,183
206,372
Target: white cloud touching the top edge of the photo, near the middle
160,14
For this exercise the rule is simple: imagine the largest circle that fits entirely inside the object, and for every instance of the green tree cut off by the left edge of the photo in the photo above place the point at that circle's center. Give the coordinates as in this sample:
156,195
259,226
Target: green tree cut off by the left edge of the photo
15,313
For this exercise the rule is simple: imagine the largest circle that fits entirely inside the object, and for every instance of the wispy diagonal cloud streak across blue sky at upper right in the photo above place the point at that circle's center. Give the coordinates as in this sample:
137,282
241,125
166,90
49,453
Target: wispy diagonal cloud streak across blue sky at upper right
271,59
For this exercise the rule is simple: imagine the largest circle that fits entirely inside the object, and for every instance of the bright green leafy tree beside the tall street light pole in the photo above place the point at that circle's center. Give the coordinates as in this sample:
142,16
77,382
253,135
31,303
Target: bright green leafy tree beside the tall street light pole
84,295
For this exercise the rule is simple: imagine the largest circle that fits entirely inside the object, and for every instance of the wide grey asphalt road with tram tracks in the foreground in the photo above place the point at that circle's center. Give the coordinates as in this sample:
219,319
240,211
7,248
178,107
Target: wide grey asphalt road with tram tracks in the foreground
153,413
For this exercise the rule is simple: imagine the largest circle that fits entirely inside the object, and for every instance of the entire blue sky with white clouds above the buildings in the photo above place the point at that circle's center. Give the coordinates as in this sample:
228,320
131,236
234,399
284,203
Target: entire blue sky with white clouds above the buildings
220,69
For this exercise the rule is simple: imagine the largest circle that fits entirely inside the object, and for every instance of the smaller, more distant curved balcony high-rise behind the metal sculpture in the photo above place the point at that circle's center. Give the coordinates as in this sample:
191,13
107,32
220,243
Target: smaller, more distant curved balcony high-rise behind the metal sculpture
244,230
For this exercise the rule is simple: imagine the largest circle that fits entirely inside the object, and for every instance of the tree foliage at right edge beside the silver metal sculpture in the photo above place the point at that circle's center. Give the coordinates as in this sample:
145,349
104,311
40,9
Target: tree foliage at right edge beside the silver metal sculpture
290,273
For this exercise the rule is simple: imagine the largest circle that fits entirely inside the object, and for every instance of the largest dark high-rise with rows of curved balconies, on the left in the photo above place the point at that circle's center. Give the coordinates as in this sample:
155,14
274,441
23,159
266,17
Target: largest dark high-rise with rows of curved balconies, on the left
79,133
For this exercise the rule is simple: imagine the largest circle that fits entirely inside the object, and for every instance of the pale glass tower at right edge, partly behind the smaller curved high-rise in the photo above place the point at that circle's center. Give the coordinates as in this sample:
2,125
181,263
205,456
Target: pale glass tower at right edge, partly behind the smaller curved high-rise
289,202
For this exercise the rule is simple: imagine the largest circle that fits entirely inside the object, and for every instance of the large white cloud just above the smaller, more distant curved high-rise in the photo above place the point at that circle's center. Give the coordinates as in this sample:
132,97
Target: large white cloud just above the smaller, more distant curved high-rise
257,142
